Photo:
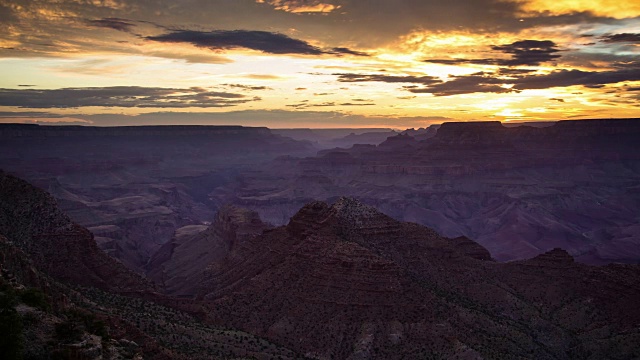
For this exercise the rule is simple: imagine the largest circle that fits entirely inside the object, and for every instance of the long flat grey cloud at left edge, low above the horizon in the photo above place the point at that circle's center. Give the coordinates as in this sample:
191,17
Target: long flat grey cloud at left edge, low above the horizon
120,96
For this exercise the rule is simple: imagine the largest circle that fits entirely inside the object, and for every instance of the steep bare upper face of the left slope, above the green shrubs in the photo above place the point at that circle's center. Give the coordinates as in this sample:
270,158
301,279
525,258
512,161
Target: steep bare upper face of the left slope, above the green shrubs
31,220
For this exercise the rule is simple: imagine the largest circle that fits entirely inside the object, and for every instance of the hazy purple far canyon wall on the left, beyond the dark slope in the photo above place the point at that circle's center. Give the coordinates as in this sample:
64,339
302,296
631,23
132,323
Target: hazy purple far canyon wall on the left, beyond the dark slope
133,187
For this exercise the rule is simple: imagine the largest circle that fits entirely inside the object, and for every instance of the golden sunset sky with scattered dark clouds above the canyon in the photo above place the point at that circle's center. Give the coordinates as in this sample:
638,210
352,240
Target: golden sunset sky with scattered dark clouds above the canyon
317,63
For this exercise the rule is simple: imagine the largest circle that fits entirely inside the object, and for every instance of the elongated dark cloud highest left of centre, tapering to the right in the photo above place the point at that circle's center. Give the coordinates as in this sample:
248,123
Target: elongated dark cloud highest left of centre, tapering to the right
267,42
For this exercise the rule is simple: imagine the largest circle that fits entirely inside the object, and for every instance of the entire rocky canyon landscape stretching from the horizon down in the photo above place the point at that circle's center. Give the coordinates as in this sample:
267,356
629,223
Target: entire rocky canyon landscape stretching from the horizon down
463,240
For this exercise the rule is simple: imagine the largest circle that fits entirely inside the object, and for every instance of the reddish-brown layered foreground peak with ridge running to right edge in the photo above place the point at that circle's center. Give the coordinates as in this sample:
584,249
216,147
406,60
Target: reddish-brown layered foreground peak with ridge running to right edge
347,282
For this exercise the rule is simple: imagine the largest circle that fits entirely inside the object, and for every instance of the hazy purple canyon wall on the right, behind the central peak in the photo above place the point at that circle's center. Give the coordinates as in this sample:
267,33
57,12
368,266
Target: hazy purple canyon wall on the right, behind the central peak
518,191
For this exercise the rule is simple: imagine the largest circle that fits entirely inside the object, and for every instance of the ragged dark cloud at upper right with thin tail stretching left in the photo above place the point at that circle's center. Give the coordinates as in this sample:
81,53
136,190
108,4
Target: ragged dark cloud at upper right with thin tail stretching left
523,53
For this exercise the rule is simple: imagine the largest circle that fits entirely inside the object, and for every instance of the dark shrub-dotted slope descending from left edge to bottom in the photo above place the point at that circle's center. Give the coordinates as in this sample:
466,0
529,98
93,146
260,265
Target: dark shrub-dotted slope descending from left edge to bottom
62,297
